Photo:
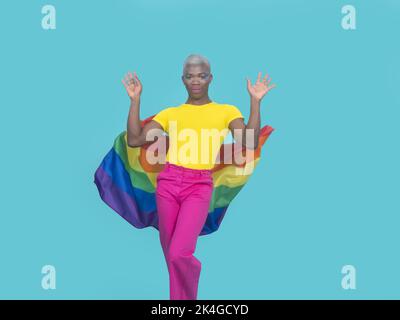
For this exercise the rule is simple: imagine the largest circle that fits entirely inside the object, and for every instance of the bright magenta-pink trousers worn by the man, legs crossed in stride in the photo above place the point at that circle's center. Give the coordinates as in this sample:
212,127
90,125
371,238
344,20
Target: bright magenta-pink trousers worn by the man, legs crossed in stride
183,197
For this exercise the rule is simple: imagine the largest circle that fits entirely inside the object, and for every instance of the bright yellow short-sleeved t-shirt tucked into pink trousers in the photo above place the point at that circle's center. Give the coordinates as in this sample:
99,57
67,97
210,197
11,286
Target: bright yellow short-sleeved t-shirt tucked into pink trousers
196,133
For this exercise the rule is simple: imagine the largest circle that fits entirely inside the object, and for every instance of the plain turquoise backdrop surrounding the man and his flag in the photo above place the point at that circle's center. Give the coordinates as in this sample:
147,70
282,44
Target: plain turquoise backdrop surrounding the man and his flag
324,195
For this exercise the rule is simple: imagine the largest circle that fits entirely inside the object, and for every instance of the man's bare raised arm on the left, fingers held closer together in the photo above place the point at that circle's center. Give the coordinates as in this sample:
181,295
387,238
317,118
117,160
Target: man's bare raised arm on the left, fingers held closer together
136,135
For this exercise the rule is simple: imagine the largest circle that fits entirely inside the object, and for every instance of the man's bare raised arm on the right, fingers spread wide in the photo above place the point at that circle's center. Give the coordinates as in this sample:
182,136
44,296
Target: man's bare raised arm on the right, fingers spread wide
248,134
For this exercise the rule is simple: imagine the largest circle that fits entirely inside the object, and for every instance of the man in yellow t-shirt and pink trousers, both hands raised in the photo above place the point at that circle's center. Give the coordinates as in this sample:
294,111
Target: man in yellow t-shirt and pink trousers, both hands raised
185,185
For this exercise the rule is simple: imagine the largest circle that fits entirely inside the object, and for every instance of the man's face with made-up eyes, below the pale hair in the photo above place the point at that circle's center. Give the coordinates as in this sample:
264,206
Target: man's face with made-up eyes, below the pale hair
196,79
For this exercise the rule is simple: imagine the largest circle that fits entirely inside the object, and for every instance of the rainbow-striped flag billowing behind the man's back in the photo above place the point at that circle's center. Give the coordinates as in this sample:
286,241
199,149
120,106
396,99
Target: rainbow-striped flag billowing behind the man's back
126,181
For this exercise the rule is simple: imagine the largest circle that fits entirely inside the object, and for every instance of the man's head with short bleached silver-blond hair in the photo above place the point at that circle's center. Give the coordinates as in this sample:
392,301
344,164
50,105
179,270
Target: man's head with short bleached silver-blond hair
196,76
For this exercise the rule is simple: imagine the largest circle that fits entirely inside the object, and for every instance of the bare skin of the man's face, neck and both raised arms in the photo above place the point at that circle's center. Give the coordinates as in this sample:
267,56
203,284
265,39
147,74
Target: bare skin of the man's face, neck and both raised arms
196,79
